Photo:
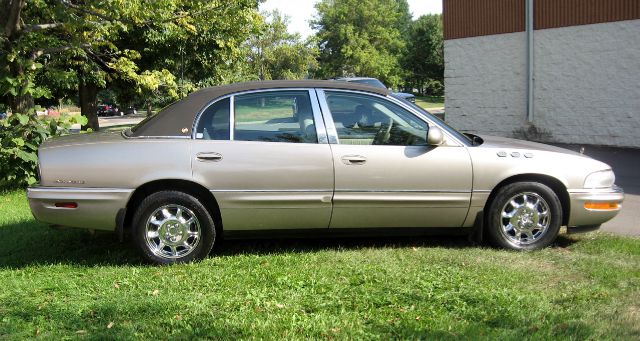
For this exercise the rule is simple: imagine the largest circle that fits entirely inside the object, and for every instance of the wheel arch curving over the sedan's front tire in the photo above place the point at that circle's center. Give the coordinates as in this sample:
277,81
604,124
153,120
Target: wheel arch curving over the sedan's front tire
556,186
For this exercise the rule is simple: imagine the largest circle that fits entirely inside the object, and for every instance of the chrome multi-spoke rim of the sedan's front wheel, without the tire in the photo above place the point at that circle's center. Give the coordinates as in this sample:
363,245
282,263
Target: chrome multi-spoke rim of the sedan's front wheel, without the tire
525,218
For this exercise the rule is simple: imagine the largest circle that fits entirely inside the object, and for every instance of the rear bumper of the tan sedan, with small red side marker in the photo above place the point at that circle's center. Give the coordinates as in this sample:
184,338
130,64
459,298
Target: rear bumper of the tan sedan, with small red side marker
97,207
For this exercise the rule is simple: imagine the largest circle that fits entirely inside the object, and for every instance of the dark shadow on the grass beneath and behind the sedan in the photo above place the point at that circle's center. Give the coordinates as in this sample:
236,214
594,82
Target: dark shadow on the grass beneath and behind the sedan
31,243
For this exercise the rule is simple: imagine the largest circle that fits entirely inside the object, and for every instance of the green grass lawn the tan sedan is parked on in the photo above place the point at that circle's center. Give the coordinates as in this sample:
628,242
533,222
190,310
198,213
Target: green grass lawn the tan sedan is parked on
69,284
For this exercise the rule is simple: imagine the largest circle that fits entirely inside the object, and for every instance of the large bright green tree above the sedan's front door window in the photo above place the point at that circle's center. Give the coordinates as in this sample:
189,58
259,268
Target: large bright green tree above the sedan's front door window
362,38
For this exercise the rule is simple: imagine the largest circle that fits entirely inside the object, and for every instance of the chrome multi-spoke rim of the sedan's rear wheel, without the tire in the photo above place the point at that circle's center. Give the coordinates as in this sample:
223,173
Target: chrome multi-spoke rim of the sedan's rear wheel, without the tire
172,231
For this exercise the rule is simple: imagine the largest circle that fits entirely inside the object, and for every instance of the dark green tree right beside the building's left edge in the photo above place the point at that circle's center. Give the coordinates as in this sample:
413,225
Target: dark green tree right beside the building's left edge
424,59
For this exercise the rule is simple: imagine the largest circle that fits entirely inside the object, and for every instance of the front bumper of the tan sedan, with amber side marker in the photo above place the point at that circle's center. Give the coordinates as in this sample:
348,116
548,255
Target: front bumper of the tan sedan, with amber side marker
581,216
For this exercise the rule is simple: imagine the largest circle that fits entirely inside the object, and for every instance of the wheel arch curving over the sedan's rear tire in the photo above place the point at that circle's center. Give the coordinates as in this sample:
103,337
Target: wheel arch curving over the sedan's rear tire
186,186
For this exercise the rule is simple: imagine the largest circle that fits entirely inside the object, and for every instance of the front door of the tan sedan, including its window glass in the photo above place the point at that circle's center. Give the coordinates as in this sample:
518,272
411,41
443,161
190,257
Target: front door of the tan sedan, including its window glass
385,173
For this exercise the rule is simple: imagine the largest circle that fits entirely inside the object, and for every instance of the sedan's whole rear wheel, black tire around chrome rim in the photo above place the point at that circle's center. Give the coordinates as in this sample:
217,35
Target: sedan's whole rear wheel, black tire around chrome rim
184,231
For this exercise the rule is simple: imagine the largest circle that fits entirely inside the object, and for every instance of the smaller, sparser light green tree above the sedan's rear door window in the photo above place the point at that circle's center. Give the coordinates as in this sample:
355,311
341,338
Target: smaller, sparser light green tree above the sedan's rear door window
277,54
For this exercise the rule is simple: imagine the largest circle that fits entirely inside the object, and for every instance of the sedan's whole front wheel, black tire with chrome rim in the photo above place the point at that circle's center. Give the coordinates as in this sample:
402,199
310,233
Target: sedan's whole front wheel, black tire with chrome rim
524,230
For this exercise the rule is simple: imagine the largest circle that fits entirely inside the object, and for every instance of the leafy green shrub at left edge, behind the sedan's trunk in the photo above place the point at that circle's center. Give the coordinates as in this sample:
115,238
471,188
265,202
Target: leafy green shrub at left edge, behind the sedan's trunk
20,137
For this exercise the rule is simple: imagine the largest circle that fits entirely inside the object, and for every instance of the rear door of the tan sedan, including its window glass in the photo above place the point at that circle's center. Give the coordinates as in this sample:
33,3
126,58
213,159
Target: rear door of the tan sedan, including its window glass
259,153
